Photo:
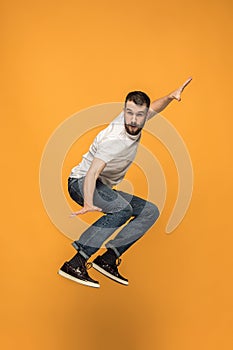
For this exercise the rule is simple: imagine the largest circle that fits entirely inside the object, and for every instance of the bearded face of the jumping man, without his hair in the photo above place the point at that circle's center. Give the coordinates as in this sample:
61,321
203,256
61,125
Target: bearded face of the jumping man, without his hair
135,117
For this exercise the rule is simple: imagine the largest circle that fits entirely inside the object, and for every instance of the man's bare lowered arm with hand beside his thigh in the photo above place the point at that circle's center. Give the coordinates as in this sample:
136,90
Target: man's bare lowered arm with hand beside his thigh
95,169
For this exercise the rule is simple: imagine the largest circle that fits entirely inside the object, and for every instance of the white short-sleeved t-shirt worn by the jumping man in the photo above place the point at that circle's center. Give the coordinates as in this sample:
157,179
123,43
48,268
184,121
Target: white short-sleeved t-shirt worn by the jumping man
115,147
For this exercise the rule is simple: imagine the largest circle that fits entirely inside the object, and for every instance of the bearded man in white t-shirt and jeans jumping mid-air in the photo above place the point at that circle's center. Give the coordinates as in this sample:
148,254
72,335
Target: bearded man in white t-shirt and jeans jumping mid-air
90,184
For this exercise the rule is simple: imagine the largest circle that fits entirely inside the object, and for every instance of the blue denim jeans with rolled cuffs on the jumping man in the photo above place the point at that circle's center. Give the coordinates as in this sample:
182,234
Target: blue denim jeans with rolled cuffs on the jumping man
118,207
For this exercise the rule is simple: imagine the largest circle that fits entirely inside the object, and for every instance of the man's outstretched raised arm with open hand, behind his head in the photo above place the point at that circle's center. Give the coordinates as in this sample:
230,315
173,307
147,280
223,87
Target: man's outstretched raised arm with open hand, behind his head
160,104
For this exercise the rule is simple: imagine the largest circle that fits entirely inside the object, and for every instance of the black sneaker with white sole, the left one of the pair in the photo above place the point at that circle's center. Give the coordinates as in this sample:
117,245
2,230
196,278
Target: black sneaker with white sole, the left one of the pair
78,275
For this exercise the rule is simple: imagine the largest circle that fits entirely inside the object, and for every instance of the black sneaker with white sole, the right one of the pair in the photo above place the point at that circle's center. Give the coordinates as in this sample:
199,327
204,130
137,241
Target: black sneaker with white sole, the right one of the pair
109,270
